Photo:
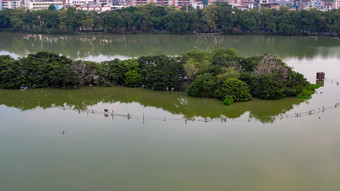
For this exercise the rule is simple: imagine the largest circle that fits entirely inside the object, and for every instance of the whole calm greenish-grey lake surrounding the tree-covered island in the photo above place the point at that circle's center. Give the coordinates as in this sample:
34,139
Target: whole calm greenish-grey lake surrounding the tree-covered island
62,139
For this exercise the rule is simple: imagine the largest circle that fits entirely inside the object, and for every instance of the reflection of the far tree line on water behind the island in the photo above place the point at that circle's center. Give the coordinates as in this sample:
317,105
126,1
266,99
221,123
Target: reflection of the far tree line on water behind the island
83,46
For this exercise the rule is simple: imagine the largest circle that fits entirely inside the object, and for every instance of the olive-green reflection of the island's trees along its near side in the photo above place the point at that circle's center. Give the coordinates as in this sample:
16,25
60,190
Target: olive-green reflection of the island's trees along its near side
173,102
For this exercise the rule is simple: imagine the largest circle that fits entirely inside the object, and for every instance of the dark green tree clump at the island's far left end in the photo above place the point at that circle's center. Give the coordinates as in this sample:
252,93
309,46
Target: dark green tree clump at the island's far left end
38,70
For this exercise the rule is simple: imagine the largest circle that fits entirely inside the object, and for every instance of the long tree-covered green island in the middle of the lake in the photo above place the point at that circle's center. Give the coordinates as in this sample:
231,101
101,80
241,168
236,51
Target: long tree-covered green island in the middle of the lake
219,73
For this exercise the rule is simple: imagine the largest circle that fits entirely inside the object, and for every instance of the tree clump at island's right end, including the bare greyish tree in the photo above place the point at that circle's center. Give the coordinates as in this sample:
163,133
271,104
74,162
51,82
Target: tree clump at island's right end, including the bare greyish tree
270,78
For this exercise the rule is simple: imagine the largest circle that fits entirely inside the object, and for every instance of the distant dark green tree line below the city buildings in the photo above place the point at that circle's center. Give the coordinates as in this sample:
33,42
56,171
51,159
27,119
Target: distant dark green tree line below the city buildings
220,18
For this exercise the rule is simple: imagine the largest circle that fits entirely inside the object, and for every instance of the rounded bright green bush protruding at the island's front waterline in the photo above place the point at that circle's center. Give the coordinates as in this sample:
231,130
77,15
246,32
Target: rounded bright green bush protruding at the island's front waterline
235,88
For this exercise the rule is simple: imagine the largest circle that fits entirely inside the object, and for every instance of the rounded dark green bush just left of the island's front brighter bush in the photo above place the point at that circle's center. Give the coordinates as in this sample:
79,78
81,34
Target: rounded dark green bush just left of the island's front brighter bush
204,85
